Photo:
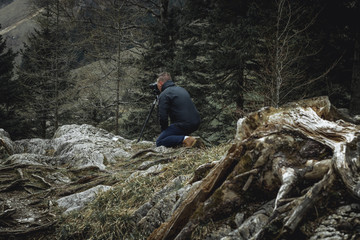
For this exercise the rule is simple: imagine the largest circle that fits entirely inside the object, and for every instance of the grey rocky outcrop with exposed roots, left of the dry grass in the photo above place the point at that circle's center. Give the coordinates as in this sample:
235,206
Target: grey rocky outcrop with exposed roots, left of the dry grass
39,177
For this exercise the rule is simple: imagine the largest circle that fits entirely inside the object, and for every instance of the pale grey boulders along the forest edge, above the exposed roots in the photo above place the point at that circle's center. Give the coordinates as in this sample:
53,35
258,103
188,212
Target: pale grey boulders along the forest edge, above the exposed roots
78,146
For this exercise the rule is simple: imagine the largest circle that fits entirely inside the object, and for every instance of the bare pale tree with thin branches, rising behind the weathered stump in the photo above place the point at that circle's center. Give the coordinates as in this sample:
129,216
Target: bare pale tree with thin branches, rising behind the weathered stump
283,70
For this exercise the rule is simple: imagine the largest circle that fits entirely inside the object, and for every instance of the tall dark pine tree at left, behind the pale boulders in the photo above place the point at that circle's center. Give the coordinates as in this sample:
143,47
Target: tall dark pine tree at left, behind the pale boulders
44,70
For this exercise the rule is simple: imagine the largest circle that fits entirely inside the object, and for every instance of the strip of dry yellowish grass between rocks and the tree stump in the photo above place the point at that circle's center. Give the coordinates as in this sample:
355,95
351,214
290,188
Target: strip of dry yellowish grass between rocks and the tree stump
110,215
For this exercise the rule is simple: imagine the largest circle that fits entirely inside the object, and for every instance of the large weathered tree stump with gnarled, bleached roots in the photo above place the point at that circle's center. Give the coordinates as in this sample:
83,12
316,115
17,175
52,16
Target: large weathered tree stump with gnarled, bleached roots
291,156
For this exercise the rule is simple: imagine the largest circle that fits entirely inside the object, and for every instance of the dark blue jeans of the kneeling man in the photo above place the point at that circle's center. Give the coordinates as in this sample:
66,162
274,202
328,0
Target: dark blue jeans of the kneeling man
170,137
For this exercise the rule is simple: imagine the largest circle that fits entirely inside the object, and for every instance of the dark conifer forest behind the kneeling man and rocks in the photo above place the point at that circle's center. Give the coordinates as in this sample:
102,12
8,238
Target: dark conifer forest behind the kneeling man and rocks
91,61
